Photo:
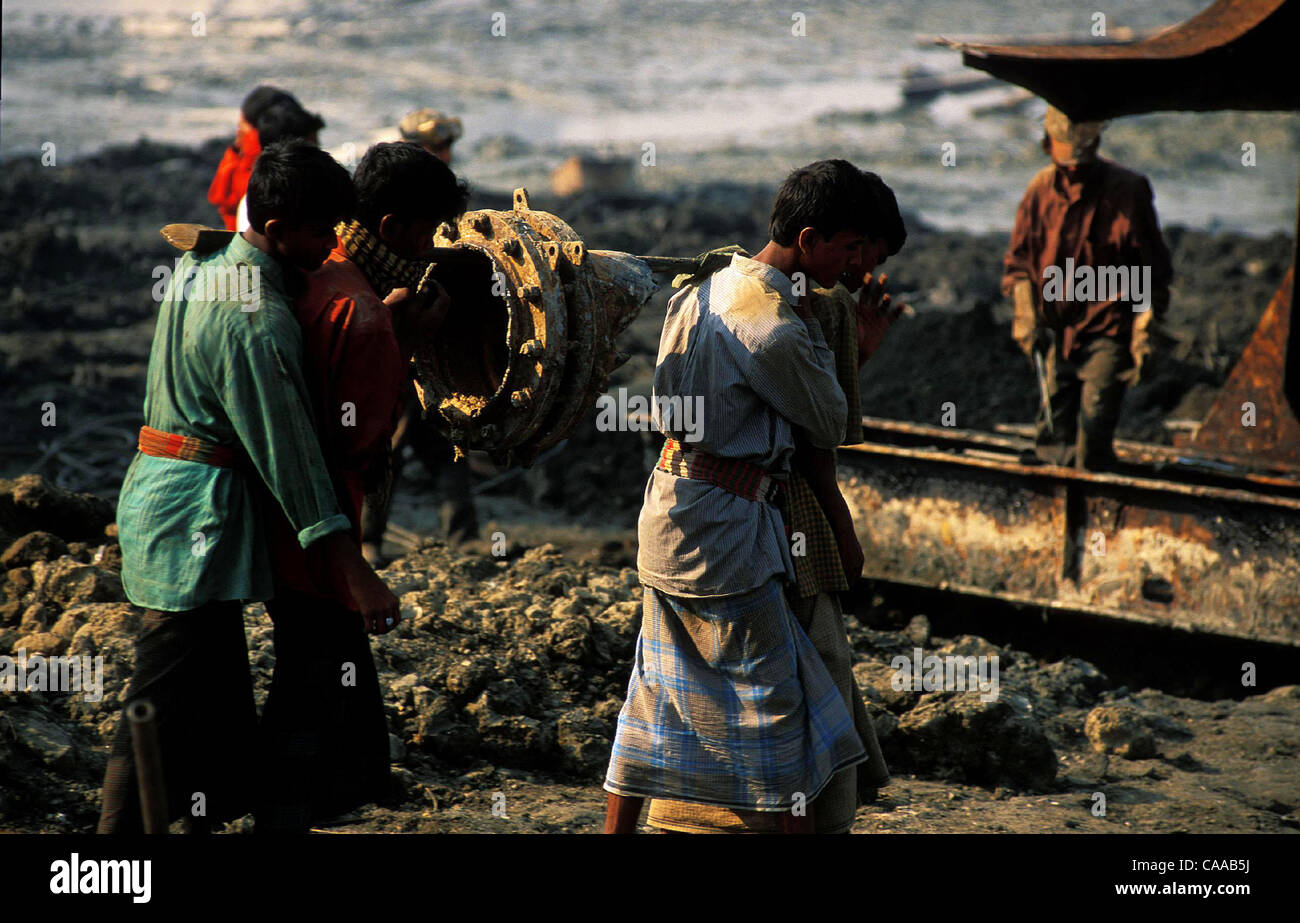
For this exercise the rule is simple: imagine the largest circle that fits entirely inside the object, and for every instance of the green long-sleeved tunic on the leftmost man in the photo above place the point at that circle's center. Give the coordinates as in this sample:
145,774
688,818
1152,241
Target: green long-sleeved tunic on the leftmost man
190,532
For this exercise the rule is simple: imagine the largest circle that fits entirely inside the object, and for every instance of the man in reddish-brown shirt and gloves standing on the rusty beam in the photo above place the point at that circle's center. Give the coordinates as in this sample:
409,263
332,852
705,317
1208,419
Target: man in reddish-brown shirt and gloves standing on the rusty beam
1085,213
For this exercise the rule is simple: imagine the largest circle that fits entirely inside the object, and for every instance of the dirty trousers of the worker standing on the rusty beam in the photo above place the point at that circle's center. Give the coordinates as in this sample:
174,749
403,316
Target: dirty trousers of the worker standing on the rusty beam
1086,395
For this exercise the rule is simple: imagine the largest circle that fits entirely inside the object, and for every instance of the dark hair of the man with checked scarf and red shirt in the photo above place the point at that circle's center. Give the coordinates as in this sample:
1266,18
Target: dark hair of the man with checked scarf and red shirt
402,179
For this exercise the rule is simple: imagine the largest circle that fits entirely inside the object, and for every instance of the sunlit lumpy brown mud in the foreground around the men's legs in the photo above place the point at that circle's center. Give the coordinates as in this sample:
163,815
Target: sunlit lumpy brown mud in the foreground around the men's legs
504,683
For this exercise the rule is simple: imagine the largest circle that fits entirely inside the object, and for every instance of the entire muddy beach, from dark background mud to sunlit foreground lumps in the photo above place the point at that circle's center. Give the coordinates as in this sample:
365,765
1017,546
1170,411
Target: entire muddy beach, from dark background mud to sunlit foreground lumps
508,673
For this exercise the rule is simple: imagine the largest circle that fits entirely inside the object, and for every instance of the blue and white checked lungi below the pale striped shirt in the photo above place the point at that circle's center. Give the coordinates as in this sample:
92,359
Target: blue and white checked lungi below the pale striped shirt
730,705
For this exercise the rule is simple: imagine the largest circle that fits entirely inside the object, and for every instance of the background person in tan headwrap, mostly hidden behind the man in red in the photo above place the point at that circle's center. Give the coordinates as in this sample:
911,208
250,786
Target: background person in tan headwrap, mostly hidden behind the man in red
436,133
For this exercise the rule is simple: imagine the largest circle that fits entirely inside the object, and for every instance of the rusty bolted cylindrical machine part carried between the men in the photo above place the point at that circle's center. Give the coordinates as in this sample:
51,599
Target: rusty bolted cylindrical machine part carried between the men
532,341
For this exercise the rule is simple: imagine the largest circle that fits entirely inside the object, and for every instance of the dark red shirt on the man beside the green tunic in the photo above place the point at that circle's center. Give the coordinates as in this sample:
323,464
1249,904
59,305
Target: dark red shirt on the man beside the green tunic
357,379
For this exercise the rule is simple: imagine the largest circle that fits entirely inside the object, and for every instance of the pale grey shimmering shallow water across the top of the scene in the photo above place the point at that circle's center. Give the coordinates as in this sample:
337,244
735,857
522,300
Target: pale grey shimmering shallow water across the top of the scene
721,89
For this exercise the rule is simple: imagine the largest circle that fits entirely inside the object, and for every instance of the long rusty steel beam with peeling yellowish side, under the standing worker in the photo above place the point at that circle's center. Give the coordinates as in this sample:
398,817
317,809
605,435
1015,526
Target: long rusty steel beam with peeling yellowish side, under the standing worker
1168,540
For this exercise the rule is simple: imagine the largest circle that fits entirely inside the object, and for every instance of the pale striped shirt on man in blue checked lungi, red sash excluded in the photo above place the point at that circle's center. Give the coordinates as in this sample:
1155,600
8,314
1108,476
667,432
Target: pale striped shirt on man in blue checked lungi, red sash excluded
753,370
